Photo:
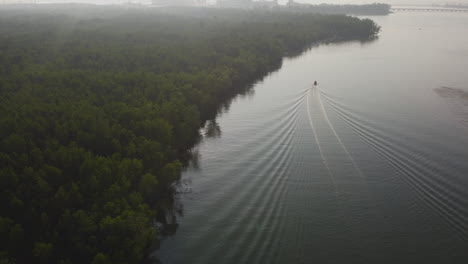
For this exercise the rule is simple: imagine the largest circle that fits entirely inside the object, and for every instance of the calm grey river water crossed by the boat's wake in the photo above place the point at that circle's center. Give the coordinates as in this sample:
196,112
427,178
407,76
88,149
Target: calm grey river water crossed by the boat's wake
370,166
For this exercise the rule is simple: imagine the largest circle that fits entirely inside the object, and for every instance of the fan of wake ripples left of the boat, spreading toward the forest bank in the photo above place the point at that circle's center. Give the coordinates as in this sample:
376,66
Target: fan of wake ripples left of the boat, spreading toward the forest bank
257,193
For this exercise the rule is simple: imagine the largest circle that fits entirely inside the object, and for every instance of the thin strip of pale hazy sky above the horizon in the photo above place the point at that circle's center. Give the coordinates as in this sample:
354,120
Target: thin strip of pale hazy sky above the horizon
281,1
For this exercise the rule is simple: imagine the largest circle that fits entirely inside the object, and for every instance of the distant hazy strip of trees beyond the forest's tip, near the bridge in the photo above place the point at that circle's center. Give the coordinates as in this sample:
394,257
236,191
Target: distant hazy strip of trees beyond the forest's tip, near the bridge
366,9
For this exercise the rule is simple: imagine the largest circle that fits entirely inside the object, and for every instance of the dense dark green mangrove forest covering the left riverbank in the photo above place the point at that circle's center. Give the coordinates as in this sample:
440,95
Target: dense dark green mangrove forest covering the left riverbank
96,112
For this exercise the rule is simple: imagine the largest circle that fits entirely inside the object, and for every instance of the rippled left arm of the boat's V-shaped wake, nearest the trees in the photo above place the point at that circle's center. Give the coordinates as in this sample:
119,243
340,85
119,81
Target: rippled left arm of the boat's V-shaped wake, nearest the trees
253,204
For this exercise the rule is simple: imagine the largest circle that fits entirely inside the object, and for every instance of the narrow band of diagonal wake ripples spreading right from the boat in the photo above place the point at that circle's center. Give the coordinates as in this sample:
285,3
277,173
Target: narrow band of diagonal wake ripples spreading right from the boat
428,181
